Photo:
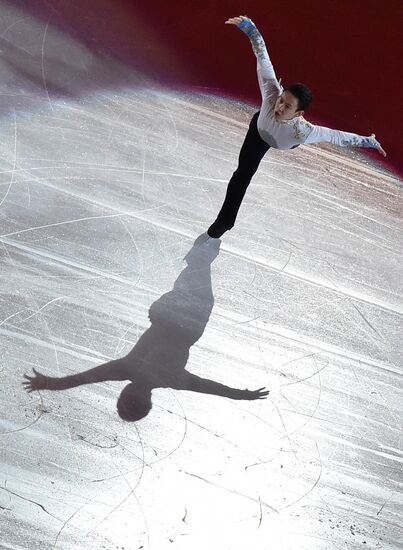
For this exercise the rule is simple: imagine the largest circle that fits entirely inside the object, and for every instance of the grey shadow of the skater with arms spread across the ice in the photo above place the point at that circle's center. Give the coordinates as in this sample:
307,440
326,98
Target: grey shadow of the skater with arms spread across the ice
158,360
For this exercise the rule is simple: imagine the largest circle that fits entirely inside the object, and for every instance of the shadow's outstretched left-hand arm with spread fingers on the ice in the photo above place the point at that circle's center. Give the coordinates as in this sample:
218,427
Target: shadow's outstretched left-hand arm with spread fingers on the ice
114,370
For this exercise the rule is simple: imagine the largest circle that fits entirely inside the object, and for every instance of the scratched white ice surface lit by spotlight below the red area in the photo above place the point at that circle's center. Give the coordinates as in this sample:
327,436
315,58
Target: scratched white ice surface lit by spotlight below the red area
106,182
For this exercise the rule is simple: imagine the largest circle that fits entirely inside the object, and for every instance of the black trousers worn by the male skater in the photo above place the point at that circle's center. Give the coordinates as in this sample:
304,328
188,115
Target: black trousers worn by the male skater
252,152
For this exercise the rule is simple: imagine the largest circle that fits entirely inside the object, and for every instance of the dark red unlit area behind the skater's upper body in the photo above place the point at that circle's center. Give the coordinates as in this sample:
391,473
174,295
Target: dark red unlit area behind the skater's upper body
347,51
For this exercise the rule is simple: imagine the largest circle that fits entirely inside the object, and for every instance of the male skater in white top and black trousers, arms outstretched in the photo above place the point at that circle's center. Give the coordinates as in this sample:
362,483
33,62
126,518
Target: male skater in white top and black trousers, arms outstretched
279,124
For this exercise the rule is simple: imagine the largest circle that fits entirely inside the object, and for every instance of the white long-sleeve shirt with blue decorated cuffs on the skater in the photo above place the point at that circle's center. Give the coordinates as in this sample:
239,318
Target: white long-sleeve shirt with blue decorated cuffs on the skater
287,134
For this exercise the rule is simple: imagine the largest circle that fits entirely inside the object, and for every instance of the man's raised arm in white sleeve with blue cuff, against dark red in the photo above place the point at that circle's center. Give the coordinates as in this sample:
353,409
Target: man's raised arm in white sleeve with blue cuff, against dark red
267,77
